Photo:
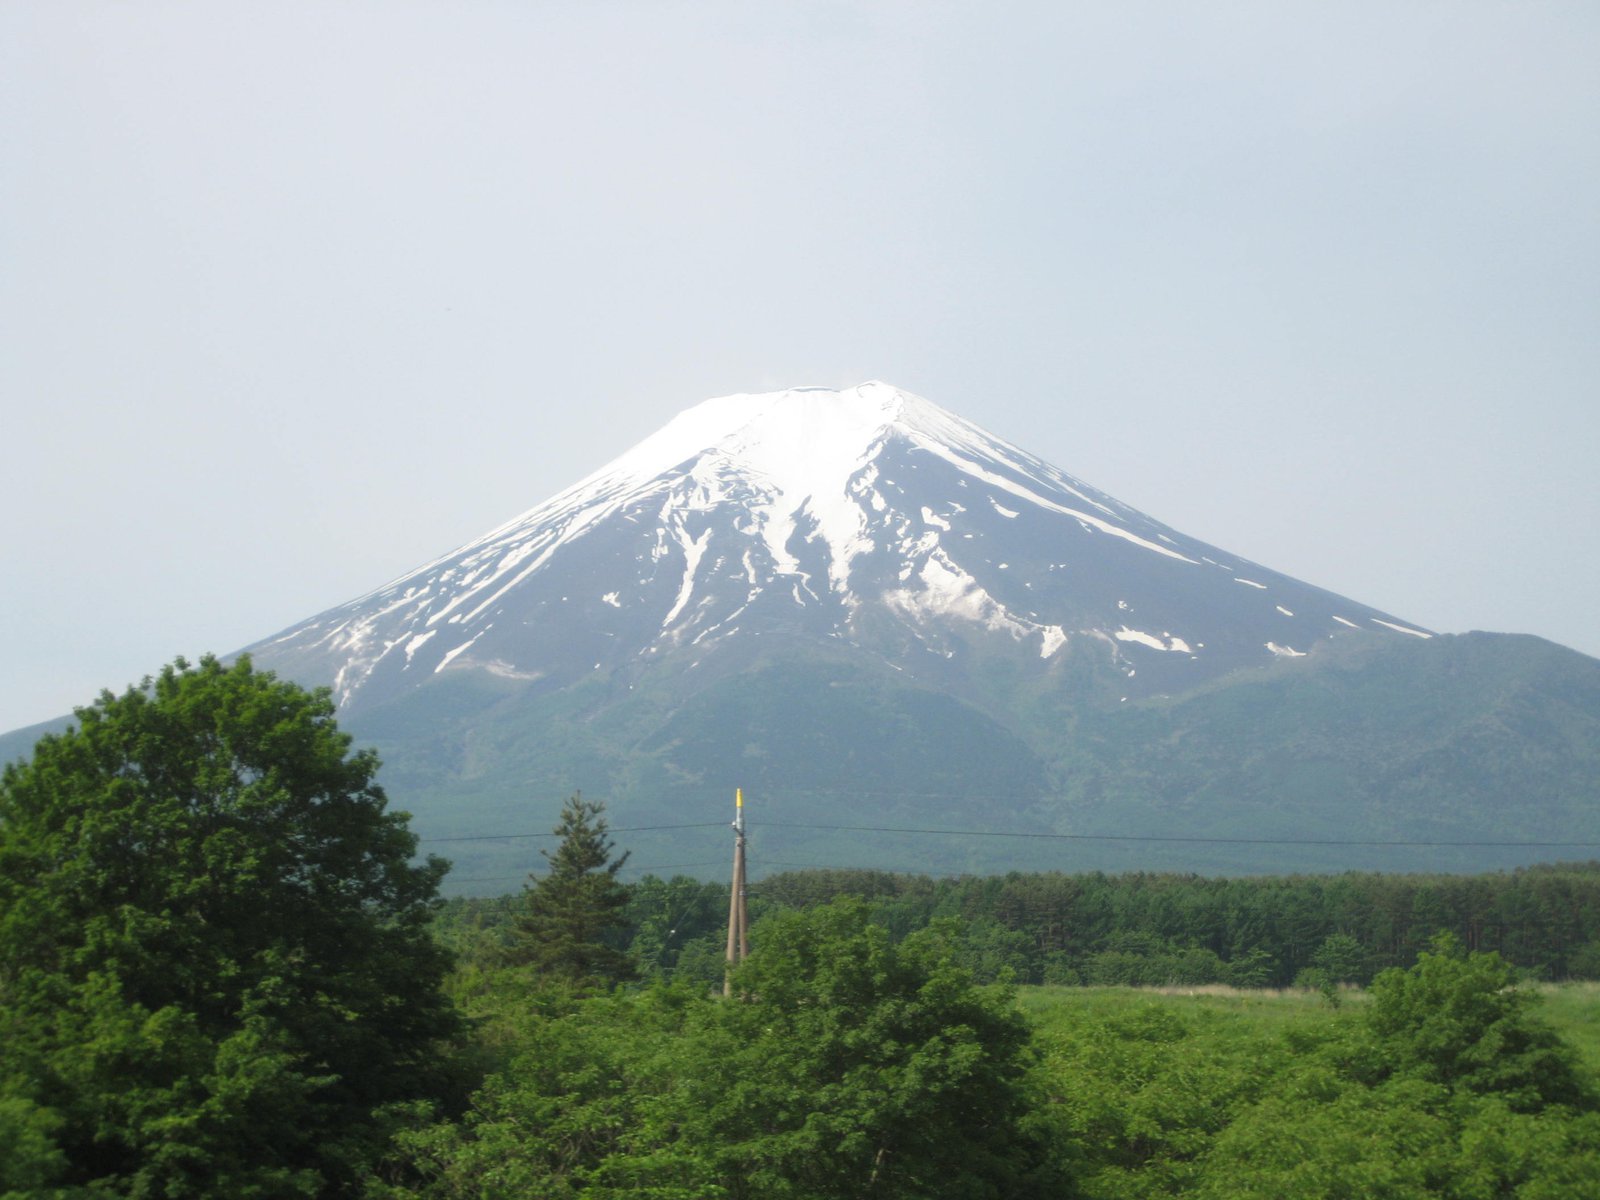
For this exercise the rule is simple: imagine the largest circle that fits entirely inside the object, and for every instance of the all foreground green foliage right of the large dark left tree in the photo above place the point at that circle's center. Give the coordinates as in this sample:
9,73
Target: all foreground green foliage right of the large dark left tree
852,1066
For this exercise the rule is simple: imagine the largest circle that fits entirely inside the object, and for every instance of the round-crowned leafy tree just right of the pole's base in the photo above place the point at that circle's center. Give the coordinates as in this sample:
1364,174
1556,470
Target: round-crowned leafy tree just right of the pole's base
855,1066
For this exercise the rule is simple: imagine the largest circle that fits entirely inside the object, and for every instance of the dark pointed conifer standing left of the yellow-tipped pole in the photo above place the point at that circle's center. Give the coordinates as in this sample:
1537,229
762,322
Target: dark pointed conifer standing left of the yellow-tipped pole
575,913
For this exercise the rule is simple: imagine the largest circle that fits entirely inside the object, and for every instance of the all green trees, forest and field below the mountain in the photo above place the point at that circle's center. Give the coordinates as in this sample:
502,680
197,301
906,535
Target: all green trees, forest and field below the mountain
226,974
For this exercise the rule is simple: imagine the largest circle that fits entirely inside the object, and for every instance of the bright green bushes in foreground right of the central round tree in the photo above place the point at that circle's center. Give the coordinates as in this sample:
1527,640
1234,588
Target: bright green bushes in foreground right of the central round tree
1444,1084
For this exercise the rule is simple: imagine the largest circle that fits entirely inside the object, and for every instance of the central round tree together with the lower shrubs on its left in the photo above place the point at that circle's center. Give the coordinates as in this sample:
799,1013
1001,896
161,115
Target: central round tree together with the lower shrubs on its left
844,1066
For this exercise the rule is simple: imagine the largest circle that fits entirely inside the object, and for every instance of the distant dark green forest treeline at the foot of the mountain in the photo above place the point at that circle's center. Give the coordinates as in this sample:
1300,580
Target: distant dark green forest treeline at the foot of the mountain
1135,929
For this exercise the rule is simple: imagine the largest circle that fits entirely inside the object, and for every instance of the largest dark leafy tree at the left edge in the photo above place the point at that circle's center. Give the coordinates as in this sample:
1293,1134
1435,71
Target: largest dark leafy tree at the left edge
215,964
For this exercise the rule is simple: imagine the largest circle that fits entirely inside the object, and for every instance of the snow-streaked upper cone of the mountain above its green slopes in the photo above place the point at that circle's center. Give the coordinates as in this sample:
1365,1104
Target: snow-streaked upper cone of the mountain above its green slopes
865,519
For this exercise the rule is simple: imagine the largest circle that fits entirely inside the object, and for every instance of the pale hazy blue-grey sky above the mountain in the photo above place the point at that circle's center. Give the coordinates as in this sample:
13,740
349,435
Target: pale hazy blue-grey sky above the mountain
297,297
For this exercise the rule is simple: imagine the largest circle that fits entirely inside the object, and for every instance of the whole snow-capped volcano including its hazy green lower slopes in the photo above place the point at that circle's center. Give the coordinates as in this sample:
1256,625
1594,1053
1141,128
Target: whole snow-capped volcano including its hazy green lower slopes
886,625
